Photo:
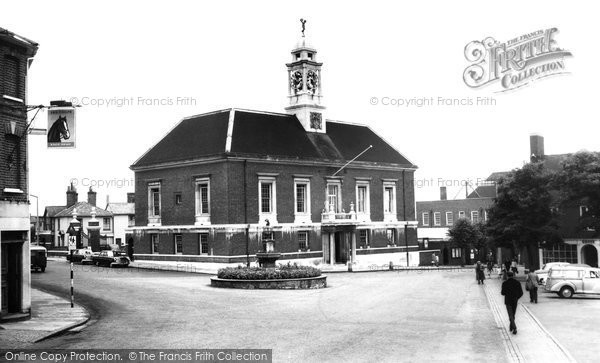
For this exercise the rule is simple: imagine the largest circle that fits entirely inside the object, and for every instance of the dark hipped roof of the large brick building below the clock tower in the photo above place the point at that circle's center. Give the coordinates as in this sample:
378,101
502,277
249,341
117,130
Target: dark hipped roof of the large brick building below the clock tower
246,133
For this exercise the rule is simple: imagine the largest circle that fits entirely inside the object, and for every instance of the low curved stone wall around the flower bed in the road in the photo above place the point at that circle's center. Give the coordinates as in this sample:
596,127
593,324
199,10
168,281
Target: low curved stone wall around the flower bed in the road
318,282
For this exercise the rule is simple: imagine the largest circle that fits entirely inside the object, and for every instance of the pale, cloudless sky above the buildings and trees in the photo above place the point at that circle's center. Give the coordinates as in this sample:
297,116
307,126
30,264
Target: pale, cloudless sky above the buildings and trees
138,67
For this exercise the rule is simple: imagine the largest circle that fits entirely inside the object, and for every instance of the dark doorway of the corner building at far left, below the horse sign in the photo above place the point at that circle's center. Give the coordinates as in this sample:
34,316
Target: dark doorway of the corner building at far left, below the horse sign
12,254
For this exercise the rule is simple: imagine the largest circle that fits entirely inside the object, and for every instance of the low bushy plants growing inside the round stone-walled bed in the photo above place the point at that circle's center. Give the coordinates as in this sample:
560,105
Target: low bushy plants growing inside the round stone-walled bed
288,271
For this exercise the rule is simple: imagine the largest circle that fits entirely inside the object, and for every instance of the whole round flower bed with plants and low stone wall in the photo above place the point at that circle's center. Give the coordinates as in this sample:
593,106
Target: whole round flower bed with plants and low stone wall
282,277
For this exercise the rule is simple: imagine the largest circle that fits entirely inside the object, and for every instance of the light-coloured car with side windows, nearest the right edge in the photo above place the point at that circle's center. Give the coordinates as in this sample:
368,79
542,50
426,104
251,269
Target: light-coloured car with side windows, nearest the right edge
569,280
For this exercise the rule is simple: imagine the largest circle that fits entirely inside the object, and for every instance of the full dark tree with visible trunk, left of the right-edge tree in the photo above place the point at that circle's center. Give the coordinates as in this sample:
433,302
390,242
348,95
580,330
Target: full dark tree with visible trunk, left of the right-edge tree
522,215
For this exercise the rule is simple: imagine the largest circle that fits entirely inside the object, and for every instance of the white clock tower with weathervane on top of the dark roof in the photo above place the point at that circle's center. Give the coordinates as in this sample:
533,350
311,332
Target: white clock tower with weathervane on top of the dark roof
305,86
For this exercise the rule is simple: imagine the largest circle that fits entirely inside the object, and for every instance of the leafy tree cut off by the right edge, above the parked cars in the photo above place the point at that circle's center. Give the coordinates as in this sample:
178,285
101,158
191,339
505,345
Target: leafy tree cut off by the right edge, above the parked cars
579,182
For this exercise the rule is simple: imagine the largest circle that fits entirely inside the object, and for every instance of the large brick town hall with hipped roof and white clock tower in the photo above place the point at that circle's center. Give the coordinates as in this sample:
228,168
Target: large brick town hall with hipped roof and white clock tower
221,183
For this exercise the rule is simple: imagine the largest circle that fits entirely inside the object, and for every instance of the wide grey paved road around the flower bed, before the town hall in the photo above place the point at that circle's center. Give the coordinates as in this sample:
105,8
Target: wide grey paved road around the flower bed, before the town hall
380,316
